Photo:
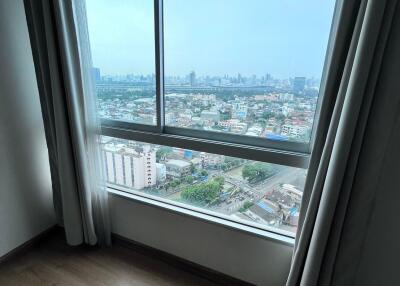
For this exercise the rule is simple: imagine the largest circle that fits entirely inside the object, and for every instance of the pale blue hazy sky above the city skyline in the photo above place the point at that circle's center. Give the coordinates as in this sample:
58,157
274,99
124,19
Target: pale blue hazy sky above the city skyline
285,38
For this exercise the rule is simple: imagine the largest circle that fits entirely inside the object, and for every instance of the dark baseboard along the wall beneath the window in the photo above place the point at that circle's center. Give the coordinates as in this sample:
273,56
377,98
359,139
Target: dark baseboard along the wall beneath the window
178,262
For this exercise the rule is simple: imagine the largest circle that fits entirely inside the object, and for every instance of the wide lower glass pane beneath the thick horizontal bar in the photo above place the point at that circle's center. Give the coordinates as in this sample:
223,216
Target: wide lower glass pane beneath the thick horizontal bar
256,193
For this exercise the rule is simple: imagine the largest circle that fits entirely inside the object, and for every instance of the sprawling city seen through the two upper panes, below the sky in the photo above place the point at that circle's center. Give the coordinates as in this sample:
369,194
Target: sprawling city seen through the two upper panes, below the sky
273,109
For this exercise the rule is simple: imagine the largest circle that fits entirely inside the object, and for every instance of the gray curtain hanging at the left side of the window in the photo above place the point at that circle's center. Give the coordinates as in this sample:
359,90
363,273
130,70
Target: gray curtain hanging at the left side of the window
62,61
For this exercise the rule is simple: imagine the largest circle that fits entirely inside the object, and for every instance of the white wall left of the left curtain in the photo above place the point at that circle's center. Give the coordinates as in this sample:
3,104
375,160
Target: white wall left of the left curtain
25,187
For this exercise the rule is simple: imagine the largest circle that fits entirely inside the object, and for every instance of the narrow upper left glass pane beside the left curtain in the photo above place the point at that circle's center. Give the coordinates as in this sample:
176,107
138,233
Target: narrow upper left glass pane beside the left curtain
122,43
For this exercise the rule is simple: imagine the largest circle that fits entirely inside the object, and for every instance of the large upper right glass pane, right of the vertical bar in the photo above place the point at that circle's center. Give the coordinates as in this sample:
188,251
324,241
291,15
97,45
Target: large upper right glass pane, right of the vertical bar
245,67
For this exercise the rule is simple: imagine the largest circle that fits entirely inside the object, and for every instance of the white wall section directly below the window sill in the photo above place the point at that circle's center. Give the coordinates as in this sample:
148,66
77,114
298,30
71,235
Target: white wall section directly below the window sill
238,254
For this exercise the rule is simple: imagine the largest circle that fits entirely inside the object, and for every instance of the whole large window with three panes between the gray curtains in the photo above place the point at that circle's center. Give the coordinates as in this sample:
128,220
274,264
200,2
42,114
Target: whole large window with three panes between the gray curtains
210,105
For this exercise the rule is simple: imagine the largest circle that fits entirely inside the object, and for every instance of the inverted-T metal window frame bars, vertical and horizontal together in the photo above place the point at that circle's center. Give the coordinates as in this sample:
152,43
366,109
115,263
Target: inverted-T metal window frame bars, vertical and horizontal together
286,153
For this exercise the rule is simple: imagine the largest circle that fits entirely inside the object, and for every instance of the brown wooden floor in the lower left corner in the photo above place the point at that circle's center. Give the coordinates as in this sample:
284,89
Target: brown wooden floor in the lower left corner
52,262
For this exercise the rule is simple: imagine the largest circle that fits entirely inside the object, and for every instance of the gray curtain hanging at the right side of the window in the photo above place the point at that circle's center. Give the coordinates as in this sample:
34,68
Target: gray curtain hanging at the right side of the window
359,114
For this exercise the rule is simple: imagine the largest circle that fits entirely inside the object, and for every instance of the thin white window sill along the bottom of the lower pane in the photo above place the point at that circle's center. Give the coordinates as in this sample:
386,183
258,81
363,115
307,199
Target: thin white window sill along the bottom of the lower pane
285,238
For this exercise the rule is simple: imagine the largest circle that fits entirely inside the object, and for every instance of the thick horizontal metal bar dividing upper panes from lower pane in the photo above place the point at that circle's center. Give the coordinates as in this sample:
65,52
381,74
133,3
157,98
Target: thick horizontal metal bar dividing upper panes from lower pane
286,158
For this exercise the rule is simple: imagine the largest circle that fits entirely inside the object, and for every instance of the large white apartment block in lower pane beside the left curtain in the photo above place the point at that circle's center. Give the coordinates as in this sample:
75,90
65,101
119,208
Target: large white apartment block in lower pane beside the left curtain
130,167
